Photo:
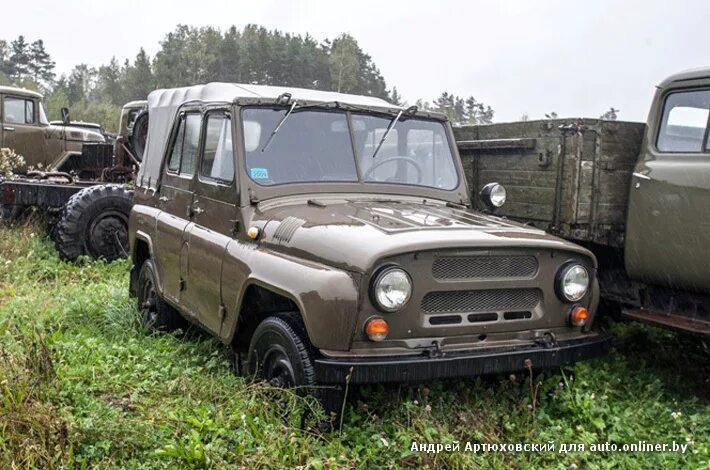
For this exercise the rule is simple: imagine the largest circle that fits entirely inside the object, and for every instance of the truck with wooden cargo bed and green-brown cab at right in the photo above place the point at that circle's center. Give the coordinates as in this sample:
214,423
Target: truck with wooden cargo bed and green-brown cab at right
637,195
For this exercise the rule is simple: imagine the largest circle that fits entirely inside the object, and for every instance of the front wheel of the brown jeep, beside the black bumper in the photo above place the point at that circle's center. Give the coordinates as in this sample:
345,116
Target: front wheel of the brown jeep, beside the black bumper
281,354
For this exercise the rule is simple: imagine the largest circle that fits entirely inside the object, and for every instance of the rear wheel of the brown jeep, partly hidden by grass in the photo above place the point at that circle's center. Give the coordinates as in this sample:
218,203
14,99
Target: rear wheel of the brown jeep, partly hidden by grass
154,311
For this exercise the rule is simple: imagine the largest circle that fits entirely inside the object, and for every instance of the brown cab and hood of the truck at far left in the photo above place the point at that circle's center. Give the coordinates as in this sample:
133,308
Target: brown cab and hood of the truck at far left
26,129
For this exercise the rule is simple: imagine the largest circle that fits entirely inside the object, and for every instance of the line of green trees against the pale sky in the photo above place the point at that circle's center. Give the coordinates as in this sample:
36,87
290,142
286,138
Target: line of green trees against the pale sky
190,55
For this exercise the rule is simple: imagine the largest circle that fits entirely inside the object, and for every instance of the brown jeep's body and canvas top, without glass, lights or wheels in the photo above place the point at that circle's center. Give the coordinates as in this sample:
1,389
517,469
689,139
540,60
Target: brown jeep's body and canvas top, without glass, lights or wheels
228,255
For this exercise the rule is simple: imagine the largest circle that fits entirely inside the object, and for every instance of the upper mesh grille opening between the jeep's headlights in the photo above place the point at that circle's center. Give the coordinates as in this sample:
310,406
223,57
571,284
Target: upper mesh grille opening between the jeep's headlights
484,267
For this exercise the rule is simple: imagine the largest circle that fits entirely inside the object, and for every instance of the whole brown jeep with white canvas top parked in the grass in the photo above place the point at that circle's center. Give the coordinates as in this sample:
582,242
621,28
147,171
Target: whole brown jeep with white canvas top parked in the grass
329,238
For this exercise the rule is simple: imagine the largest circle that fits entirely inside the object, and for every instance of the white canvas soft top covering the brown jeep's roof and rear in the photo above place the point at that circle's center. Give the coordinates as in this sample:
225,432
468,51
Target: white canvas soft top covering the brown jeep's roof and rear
163,105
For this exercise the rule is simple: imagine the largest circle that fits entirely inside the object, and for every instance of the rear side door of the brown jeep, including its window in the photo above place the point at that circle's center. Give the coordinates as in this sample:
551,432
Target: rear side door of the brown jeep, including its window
175,202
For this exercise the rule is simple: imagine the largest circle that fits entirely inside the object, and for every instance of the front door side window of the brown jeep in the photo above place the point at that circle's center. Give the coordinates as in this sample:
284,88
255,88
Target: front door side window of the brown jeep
218,157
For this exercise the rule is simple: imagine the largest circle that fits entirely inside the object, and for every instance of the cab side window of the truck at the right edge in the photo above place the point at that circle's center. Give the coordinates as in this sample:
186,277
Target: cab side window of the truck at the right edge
684,121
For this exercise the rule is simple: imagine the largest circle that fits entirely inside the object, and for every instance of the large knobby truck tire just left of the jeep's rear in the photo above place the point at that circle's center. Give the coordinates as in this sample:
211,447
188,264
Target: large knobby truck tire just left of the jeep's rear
94,222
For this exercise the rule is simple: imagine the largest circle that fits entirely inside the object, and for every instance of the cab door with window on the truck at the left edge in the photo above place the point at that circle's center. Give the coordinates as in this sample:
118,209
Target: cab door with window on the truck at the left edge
21,129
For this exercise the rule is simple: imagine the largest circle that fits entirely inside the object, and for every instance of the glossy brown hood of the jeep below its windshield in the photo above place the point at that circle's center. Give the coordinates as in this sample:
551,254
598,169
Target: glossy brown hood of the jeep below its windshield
354,233
